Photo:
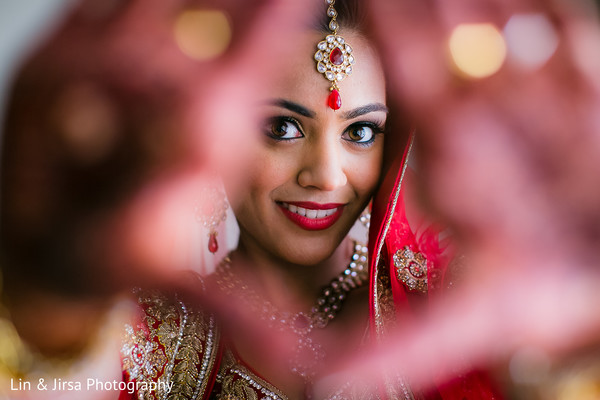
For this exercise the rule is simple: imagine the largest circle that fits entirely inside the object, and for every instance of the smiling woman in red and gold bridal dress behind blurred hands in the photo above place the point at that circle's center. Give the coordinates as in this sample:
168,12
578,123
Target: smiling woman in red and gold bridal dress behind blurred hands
328,148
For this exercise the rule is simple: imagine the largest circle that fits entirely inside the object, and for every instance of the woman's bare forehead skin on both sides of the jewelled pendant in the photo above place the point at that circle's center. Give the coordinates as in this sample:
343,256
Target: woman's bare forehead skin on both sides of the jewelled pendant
298,80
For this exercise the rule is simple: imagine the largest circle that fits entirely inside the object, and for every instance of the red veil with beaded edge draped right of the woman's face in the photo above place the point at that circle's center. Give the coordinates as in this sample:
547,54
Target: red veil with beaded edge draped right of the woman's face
391,299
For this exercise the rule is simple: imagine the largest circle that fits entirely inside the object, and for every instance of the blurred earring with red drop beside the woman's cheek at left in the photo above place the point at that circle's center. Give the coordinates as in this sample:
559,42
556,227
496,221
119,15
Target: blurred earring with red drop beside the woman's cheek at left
210,211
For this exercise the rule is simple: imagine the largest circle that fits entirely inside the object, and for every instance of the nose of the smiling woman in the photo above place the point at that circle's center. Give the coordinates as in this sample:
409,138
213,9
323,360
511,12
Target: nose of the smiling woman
323,166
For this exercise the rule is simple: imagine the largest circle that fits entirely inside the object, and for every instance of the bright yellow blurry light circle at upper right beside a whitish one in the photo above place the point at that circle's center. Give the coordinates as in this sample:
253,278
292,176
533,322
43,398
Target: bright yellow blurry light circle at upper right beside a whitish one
477,50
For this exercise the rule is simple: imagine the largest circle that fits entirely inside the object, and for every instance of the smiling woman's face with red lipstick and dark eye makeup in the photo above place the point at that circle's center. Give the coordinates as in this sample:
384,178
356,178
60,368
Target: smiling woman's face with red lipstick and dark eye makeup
315,169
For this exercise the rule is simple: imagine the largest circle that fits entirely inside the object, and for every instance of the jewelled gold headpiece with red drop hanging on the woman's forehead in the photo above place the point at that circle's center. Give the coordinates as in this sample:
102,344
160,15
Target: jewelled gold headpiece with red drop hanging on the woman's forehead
334,58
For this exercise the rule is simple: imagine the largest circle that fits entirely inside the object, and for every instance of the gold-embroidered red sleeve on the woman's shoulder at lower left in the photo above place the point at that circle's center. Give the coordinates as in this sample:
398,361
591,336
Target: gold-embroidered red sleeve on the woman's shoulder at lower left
177,344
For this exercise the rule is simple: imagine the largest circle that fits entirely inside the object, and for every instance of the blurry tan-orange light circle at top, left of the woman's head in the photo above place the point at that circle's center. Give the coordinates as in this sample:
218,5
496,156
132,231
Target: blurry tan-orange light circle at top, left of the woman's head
202,34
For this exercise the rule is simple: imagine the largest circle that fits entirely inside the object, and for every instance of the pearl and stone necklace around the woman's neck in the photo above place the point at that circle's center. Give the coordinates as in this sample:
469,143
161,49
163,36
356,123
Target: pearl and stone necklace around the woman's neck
308,353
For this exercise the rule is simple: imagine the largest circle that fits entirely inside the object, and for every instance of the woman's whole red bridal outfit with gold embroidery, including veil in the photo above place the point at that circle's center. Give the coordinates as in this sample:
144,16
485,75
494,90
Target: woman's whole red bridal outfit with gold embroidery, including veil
175,345
